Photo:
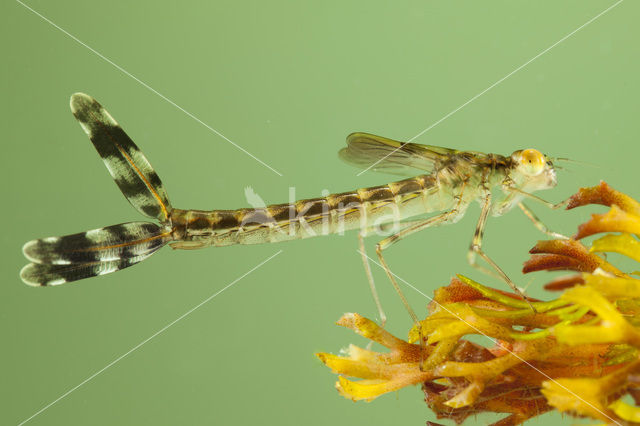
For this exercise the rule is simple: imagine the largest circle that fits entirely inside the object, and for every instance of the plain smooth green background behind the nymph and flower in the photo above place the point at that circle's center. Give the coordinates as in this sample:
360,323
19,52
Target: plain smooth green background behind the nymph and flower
287,81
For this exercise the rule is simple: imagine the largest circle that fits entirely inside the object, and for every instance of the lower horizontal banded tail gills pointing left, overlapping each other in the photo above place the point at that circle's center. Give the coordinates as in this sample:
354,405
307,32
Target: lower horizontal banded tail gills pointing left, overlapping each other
57,260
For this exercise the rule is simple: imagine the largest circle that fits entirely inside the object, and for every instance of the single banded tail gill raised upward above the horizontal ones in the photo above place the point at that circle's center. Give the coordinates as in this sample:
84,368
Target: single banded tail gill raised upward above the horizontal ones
127,164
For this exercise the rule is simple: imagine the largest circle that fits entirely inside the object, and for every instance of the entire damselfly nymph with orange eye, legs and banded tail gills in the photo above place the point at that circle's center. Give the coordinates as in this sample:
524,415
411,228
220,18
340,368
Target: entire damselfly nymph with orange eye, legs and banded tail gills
447,181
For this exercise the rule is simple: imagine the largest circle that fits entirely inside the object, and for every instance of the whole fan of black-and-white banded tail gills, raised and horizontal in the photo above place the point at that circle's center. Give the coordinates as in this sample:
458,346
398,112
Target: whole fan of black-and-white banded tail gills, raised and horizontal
56,260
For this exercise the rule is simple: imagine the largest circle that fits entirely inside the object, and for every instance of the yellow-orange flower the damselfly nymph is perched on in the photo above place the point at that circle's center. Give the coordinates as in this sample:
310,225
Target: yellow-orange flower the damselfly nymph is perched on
578,353
